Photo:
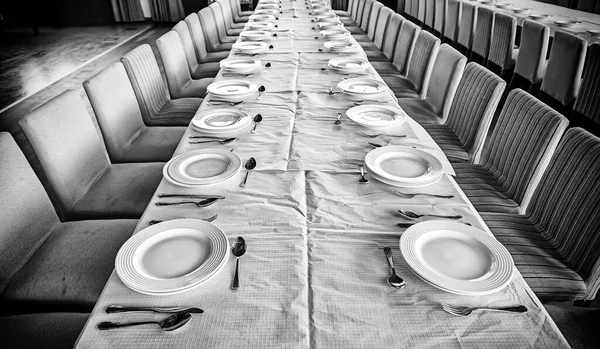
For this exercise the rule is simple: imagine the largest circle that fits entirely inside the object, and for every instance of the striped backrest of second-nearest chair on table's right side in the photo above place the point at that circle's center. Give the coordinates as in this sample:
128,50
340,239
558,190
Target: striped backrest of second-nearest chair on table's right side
521,144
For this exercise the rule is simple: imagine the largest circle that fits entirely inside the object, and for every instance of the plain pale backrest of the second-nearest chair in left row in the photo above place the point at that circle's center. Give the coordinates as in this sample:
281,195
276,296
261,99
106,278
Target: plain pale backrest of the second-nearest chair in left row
67,145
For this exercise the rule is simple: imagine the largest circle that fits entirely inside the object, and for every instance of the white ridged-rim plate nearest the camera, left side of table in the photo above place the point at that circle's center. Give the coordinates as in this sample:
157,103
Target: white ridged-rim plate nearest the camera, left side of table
172,257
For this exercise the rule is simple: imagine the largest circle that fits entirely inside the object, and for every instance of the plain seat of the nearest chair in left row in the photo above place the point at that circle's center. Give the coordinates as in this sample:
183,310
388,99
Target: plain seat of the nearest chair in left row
69,270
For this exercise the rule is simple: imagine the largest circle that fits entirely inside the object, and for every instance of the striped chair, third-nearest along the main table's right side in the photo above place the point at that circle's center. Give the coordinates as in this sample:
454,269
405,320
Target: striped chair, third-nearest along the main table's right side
462,136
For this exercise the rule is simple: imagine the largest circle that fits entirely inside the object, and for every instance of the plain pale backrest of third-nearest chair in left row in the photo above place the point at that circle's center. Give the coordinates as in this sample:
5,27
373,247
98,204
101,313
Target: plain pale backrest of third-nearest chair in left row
117,110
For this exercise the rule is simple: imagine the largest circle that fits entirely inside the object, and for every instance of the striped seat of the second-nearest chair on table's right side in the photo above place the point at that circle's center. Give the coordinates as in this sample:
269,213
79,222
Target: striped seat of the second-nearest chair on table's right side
483,190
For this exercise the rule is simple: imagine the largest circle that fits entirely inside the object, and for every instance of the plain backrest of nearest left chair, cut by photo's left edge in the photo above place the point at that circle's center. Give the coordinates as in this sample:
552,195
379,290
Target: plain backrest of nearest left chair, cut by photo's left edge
26,212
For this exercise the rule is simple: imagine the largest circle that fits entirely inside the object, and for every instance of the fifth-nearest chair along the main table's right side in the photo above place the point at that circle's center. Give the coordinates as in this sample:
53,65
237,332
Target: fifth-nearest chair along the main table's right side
419,68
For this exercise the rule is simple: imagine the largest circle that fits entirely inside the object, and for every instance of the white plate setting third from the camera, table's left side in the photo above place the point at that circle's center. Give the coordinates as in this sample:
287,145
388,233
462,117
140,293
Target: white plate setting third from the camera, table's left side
222,122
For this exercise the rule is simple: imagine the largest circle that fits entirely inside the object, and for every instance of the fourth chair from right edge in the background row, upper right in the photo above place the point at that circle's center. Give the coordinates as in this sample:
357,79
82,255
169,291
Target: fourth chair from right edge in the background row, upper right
502,54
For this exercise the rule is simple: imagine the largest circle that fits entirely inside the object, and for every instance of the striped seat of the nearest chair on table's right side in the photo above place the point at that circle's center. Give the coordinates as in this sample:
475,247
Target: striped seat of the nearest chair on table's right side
542,267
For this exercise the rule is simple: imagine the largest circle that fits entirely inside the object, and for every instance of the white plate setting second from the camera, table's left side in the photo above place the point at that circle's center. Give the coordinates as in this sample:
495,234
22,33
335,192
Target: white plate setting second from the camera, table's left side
202,167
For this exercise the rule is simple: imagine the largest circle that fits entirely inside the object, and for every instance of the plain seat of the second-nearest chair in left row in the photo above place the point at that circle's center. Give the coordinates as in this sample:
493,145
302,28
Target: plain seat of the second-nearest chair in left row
123,191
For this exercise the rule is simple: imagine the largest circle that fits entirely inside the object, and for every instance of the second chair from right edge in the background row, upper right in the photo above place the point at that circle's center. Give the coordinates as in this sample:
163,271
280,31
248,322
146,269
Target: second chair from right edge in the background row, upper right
563,72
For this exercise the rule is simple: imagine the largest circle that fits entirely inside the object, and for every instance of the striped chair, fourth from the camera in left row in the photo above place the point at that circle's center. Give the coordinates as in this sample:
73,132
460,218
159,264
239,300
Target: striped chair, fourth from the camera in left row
158,108
